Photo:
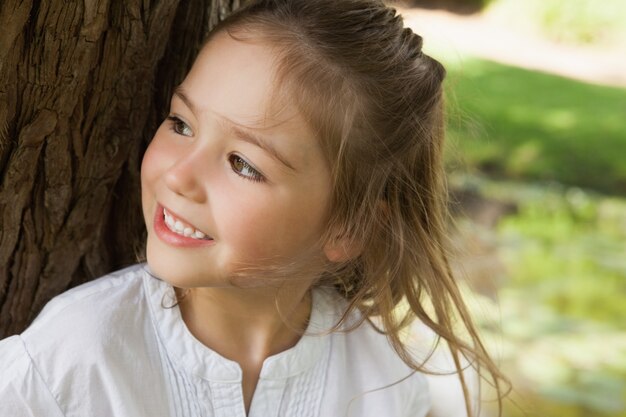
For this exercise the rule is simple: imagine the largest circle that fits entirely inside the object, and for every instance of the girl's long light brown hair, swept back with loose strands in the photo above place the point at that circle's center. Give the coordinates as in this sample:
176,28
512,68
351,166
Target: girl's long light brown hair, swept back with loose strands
361,81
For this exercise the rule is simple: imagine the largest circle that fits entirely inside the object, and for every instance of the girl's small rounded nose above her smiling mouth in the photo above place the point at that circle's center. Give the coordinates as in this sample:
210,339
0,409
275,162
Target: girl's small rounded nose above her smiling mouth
185,176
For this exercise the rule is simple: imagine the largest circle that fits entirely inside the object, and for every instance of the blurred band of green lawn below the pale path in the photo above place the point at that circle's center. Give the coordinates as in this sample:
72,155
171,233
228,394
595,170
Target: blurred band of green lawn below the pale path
514,123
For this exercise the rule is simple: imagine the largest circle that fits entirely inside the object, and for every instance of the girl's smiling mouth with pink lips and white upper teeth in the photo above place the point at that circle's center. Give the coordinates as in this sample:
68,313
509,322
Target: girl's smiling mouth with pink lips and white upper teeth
177,232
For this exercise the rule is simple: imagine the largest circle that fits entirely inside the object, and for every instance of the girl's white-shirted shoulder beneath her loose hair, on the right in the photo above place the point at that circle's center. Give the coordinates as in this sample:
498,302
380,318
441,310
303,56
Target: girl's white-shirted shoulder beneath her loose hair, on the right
364,356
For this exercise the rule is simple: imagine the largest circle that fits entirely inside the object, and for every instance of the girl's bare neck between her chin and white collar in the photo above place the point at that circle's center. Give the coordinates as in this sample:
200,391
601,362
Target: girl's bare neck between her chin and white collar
247,325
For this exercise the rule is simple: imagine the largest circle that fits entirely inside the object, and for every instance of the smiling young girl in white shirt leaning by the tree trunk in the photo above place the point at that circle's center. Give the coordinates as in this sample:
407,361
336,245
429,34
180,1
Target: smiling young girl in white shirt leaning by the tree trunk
295,206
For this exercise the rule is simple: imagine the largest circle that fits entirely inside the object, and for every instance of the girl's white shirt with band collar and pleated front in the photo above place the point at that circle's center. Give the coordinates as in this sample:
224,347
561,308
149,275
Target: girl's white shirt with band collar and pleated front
111,347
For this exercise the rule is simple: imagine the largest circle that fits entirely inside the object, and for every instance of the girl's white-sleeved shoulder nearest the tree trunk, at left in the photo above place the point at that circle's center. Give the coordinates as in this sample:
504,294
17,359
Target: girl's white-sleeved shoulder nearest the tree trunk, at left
95,338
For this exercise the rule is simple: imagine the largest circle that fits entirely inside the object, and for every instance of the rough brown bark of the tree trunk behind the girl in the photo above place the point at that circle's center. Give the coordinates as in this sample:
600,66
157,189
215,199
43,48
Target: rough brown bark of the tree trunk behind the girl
83,86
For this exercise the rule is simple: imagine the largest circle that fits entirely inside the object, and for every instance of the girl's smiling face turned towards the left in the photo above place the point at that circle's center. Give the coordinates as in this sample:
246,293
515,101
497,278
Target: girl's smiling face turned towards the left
243,181
